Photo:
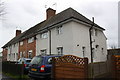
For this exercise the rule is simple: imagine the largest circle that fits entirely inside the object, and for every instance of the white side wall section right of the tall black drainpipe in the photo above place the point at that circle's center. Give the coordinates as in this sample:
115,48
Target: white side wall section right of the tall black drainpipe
100,39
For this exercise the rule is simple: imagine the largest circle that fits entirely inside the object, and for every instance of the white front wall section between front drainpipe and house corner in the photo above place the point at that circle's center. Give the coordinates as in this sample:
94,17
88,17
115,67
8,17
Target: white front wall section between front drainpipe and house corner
65,39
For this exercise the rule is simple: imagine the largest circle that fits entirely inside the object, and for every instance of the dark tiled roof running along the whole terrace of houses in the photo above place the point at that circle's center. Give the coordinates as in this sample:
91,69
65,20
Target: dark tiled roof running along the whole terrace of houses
60,17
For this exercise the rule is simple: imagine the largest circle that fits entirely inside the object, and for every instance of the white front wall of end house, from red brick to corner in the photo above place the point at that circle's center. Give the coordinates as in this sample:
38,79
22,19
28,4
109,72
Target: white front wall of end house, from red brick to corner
65,40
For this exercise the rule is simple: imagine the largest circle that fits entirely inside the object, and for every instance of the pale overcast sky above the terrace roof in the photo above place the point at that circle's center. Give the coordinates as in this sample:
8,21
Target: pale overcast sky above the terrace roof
23,14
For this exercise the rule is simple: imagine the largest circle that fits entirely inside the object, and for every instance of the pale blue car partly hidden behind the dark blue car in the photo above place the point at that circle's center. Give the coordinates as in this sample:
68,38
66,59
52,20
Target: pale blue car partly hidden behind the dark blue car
26,63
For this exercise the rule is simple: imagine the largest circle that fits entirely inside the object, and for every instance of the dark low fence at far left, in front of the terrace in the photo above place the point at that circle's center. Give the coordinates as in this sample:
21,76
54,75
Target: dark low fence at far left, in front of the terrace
12,68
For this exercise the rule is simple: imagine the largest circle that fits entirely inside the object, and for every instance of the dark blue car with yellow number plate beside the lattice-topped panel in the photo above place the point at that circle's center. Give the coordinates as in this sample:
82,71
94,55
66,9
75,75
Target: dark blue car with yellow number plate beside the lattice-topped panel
40,66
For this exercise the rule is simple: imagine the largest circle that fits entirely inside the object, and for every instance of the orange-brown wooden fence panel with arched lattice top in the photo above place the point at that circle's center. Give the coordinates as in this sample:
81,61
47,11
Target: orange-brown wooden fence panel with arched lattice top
70,66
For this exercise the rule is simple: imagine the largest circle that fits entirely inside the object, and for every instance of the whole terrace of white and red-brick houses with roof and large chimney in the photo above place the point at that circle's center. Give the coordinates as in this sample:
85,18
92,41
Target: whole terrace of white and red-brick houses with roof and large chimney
67,32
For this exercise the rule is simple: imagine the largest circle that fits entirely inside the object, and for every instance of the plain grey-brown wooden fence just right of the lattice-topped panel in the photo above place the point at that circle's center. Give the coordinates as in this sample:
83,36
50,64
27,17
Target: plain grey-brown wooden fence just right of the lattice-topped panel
100,69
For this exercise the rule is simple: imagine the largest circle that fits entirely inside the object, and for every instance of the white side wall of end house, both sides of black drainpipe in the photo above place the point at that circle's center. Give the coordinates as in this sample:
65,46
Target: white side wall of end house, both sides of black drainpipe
82,39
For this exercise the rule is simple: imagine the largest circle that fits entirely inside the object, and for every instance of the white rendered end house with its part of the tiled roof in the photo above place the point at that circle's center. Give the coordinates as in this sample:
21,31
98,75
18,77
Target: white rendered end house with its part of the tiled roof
72,36
